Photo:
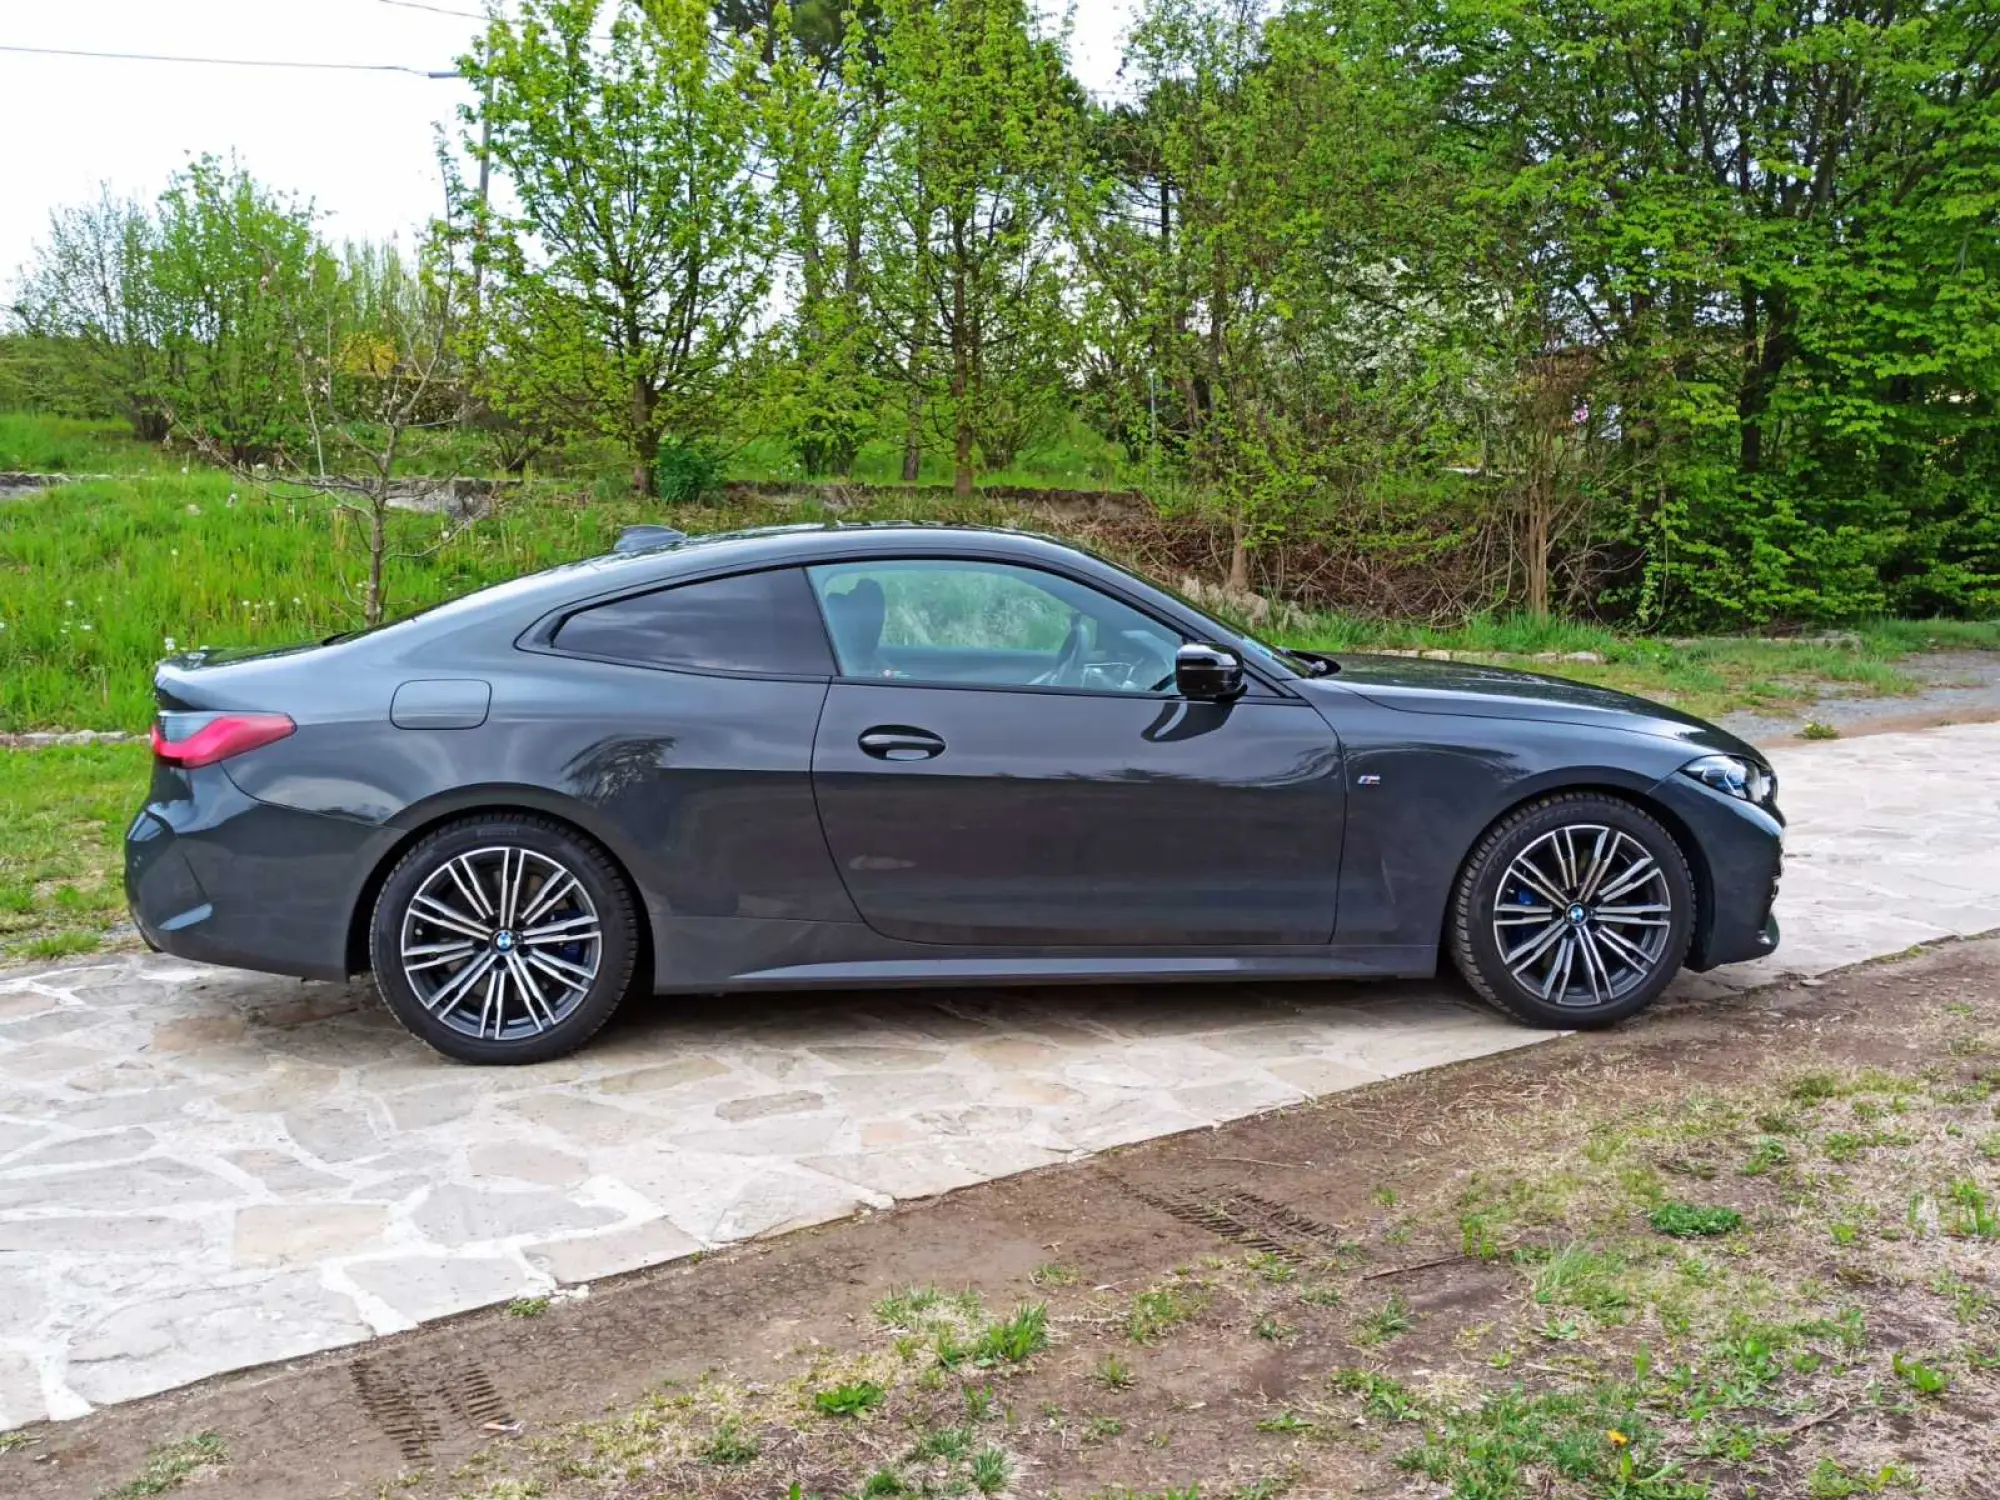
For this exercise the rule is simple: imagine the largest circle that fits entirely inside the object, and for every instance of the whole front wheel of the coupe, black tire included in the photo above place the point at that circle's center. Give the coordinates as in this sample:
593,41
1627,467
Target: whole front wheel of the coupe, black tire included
1491,875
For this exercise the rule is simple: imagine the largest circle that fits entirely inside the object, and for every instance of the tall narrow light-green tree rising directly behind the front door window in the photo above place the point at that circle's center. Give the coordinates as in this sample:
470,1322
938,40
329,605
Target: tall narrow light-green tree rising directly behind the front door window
981,143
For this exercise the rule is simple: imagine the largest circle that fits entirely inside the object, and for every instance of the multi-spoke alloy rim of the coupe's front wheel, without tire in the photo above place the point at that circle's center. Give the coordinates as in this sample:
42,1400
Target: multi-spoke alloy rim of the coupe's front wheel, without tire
1583,917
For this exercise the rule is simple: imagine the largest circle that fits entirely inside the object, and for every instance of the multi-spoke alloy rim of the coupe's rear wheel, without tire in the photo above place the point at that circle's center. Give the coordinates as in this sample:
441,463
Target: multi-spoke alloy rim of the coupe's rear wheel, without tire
501,943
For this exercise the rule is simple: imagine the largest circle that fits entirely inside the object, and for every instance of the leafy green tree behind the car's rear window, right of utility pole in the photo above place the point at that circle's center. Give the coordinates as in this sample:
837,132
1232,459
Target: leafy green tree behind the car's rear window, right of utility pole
629,241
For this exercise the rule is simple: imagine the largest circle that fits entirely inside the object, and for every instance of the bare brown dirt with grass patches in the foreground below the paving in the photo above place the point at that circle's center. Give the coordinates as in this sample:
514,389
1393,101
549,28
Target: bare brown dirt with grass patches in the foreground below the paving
1451,1285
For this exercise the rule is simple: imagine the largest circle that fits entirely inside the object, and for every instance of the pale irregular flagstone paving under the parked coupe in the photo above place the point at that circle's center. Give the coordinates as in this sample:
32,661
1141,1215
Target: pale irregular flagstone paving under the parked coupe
205,1169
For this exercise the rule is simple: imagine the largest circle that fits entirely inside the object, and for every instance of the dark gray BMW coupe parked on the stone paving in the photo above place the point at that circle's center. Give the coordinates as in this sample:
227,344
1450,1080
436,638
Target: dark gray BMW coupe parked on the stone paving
919,755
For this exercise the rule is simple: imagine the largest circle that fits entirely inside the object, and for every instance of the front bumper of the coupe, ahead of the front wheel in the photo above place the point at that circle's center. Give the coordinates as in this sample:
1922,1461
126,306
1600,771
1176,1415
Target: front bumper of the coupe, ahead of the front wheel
1739,857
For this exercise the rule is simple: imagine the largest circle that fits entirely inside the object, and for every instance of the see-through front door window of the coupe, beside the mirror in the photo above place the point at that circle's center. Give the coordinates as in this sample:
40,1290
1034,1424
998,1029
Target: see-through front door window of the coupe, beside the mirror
959,621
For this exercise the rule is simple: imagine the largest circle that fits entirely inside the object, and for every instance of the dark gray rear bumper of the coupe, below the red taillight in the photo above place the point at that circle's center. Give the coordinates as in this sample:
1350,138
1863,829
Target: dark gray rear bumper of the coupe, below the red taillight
223,879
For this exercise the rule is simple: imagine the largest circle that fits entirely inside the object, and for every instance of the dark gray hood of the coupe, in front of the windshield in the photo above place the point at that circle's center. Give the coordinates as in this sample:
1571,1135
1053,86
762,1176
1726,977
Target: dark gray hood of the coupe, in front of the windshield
1417,685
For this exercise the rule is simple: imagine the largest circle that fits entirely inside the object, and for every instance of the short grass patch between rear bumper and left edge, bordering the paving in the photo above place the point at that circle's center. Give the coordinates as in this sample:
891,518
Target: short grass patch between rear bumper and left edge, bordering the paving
61,839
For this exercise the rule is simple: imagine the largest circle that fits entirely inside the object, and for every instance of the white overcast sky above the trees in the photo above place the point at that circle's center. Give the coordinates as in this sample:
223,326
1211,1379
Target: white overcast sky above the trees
357,143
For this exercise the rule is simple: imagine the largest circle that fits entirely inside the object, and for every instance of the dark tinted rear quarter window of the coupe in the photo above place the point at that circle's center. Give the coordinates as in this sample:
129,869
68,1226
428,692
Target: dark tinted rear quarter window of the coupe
747,623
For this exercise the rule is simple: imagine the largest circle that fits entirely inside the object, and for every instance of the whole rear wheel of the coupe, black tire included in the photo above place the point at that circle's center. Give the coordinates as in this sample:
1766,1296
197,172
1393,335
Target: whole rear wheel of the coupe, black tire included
541,851
